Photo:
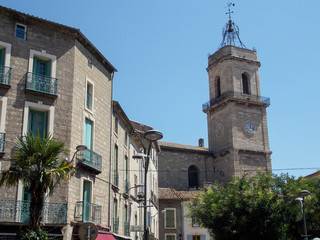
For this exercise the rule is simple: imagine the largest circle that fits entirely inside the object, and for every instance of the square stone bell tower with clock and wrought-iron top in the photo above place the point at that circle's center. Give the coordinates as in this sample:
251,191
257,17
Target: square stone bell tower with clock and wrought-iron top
236,112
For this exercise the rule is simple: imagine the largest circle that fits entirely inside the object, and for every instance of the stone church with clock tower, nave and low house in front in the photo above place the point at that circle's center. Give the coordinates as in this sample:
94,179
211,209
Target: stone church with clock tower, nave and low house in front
237,137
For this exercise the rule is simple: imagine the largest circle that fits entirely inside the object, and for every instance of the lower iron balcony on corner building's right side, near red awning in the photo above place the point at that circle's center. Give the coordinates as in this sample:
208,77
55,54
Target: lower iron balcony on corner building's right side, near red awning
88,212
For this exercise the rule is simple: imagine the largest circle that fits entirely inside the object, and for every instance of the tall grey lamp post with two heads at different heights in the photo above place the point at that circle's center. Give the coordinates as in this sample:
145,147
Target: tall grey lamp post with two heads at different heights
151,136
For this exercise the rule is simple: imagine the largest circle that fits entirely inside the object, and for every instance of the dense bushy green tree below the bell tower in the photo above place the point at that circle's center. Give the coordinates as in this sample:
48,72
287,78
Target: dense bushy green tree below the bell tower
262,207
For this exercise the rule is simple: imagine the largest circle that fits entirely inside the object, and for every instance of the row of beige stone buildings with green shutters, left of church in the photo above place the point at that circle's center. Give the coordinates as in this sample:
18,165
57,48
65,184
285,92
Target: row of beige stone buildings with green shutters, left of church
53,80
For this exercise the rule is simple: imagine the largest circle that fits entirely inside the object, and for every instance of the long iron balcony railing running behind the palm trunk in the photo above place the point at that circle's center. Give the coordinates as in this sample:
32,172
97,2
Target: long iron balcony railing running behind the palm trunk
18,212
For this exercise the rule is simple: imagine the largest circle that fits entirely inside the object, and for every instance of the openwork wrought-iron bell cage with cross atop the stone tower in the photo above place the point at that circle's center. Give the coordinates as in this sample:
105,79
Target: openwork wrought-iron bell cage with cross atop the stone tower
230,33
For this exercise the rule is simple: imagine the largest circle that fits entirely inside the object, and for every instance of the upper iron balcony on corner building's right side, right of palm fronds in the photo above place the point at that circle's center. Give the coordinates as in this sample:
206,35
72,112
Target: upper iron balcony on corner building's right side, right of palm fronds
90,159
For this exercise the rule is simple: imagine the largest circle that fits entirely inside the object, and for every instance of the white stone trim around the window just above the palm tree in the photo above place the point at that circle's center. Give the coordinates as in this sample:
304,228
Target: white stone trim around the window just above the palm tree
41,107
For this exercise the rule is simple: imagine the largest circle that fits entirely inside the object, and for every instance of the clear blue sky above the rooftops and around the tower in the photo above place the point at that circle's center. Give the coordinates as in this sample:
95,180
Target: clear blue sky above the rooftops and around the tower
160,49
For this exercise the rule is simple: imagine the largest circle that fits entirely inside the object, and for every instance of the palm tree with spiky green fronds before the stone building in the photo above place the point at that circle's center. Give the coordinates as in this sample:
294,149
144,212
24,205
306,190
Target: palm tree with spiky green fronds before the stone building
37,164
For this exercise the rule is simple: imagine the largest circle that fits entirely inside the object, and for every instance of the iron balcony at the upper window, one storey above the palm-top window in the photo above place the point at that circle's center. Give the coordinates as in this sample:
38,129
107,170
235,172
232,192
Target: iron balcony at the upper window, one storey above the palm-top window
40,83
